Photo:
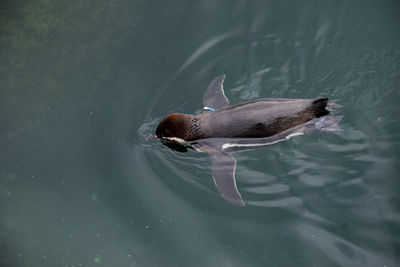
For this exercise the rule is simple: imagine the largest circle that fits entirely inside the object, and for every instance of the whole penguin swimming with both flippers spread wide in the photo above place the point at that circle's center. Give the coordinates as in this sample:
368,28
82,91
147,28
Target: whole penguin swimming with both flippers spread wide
222,128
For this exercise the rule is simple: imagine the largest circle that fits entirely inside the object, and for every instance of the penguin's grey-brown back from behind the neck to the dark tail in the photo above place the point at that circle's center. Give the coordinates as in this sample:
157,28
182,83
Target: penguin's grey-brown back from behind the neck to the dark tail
263,117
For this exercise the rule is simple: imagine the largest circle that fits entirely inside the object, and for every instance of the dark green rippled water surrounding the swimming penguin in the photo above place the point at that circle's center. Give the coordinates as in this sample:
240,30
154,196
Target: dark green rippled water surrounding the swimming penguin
84,82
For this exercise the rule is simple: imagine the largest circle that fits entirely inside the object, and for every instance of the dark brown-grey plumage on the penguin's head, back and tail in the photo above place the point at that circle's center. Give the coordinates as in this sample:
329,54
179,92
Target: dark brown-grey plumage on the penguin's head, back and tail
259,118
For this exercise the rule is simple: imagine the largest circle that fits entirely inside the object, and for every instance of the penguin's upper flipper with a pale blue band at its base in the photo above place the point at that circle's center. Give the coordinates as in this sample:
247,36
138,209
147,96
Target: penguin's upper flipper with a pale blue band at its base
214,97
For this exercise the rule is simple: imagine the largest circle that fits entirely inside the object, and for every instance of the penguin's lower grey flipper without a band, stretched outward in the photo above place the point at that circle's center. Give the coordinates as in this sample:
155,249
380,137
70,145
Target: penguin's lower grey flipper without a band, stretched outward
223,170
